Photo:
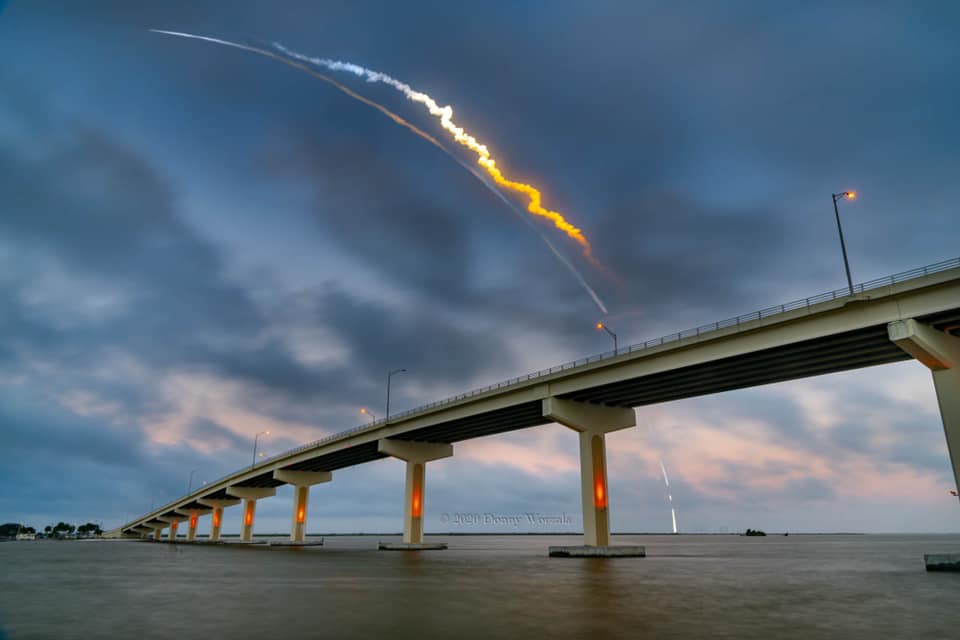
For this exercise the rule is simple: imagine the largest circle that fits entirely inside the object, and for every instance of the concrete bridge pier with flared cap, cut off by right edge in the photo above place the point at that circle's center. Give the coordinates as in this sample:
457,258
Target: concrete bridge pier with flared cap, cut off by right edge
940,352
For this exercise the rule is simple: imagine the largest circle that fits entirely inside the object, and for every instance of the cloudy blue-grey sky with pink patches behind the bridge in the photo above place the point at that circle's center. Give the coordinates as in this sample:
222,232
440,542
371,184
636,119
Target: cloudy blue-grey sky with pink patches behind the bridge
198,244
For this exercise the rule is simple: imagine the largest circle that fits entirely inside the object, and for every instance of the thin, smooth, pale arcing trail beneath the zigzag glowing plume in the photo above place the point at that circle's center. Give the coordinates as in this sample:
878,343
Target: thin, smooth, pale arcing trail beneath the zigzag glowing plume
426,136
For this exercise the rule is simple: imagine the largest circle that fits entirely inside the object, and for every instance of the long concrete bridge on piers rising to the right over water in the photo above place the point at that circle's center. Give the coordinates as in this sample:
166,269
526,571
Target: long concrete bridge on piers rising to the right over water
915,314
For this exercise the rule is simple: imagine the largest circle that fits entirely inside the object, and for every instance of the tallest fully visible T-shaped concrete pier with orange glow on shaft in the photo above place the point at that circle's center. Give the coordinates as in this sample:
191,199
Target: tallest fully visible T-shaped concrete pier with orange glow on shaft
592,422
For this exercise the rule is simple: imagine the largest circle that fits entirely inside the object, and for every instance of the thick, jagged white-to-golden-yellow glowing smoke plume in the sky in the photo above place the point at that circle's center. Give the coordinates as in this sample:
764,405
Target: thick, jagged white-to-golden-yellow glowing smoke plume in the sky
484,159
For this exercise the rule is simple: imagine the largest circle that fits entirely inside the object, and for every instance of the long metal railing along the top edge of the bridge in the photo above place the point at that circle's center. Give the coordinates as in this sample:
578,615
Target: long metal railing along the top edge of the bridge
912,274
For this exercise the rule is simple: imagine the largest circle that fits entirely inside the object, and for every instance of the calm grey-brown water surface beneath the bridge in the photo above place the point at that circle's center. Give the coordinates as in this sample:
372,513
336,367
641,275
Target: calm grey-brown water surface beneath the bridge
483,587
